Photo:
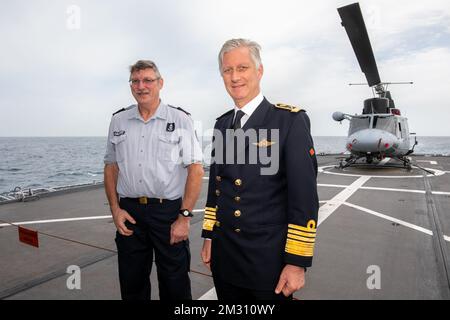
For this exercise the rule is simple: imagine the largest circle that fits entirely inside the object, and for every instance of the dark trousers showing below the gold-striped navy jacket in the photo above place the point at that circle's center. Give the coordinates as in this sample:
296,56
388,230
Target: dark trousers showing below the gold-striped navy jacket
227,291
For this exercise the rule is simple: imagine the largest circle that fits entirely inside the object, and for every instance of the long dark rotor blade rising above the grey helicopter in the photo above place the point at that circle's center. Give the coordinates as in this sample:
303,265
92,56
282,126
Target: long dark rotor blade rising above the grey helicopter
353,22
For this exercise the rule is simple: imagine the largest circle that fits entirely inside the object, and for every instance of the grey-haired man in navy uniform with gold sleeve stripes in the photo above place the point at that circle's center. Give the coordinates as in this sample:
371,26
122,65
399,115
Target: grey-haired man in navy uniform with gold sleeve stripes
261,216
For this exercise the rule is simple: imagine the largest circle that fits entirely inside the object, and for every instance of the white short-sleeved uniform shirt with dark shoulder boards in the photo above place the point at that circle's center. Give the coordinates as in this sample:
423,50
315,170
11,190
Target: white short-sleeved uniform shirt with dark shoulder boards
152,155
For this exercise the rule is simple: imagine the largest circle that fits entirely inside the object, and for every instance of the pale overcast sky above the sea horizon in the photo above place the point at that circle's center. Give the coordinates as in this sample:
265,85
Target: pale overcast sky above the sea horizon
64,64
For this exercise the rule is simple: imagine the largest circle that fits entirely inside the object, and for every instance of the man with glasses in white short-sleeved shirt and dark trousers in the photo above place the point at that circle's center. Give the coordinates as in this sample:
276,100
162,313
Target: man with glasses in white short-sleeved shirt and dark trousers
153,176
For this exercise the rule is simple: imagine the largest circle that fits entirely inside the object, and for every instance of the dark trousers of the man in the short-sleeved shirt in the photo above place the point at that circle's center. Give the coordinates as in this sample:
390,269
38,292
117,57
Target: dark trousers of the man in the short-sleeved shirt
151,234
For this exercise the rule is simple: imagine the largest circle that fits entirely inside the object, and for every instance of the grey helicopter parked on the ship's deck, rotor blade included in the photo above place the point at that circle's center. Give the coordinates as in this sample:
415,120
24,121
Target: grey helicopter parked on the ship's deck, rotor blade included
380,132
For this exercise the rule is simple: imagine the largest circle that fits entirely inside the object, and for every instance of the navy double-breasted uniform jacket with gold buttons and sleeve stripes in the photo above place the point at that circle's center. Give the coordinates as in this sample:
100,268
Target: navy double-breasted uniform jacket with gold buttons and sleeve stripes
259,223
